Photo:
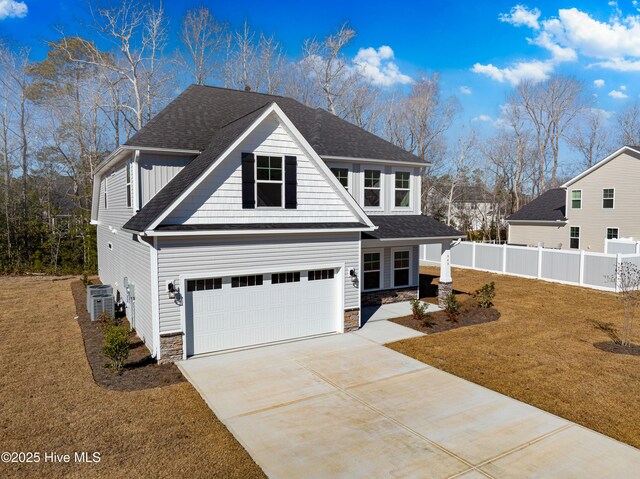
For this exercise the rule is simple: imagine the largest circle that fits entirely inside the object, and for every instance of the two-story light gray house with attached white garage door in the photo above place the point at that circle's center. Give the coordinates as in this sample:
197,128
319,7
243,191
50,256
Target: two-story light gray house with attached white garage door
235,218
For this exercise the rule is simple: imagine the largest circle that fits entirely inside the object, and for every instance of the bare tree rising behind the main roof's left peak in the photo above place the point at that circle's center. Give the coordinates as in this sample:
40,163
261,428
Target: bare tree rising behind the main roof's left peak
202,38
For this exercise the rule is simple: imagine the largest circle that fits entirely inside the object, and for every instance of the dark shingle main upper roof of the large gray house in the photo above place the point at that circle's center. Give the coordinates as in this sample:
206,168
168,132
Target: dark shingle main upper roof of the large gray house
209,119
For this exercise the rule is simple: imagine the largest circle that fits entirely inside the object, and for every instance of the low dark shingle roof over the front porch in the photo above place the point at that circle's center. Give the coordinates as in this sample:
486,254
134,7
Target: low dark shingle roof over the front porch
408,226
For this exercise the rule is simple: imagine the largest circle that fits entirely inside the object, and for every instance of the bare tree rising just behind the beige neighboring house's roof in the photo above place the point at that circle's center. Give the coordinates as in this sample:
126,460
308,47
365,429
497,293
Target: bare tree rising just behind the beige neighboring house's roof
590,137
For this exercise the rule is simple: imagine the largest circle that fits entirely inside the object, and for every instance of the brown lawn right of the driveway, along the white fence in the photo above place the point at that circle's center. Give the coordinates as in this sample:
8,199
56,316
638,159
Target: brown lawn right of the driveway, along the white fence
541,351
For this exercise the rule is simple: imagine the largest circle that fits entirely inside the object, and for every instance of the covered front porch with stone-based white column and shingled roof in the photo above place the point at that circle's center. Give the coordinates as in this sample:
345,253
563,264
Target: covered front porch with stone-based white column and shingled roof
391,258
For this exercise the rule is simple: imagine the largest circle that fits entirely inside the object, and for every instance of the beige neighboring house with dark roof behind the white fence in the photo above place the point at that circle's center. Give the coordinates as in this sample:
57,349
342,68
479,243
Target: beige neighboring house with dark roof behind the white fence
599,204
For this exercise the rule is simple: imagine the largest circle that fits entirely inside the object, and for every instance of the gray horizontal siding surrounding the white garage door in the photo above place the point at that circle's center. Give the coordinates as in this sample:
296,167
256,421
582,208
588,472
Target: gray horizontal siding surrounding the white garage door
189,255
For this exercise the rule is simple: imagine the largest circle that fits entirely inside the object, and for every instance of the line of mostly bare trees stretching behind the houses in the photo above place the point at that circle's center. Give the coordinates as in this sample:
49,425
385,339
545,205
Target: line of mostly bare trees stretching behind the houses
62,115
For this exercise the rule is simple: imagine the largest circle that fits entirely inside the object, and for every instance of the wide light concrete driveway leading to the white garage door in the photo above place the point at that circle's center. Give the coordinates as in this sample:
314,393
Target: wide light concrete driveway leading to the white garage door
346,406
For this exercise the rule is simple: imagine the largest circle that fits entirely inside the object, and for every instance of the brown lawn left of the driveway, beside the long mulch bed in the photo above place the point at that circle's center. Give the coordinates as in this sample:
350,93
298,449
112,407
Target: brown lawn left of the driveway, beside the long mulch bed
49,402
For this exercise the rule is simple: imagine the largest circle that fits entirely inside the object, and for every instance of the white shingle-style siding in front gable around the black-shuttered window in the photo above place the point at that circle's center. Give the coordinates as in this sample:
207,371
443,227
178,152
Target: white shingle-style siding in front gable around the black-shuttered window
218,199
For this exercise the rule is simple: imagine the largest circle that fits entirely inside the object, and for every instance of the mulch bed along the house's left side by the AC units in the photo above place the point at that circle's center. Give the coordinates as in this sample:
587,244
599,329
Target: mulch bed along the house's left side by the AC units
140,371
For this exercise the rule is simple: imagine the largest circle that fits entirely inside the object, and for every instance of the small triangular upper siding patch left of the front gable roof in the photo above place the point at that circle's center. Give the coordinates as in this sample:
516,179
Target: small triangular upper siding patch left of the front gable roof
156,171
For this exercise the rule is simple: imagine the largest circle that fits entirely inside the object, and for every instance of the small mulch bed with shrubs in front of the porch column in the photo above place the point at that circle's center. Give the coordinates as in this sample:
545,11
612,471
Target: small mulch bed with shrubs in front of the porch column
470,314
